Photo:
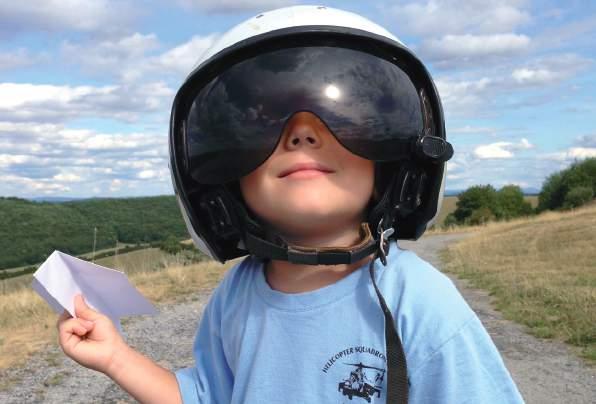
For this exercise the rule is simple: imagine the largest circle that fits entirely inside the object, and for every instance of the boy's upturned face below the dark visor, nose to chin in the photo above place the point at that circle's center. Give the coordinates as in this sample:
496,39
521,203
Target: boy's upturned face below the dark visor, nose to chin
311,185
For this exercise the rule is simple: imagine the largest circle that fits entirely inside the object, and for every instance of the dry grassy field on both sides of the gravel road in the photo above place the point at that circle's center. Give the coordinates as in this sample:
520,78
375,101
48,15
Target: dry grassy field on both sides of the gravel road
541,272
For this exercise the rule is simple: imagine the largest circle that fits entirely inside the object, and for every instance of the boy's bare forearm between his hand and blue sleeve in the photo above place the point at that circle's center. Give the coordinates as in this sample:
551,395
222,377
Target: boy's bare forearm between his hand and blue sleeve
142,378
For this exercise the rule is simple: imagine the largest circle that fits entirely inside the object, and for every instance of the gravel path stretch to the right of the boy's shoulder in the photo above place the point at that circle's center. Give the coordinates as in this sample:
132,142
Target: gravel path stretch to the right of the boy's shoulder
545,371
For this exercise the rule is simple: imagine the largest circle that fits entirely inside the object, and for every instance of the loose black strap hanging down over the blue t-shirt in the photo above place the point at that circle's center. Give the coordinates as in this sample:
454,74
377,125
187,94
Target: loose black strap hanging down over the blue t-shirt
397,369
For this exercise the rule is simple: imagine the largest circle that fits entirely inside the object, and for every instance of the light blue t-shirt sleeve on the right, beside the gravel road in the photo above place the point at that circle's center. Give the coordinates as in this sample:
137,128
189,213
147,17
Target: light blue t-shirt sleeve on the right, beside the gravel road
467,368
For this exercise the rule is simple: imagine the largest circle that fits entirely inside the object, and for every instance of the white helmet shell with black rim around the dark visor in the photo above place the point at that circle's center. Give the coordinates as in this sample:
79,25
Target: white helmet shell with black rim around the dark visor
320,19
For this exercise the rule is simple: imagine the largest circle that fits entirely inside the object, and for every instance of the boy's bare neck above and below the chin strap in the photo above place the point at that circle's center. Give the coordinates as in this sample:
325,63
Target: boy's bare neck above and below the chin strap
296,278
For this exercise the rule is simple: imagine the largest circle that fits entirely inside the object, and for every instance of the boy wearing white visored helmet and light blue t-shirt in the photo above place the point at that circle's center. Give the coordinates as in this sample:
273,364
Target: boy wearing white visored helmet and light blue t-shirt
311,147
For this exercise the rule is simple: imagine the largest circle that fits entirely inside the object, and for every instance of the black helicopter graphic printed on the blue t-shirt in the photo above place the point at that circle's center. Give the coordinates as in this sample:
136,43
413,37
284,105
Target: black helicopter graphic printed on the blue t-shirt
359,384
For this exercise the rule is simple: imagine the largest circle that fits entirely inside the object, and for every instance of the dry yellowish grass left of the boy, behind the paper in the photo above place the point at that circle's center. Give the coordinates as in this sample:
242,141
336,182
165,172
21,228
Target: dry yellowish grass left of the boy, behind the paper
27,324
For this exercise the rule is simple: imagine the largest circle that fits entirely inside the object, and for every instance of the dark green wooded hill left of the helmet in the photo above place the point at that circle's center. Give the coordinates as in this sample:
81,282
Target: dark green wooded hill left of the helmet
30,231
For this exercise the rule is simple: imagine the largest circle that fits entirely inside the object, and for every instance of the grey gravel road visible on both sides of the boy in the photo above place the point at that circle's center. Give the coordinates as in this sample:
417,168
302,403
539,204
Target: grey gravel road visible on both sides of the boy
545,371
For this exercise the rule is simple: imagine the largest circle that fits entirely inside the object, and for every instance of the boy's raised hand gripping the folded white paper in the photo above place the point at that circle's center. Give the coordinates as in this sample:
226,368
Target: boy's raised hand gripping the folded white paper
90,339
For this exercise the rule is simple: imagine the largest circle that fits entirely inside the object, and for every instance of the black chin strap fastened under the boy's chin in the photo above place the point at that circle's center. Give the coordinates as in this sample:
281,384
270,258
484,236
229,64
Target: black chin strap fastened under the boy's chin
313,256
